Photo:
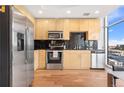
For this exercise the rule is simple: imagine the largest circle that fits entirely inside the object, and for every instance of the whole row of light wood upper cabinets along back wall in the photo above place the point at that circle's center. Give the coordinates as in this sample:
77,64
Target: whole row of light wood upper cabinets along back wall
91,26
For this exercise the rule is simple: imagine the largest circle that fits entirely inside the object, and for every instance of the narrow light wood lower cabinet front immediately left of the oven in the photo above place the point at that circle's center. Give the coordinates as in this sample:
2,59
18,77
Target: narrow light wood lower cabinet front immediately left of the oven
42,59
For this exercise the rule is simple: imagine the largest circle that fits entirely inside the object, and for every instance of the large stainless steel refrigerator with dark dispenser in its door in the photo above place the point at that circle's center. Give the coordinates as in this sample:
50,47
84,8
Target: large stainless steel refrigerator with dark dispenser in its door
22,50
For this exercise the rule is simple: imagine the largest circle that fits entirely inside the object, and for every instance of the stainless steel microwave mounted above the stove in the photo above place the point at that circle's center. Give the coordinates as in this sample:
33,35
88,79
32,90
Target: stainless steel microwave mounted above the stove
55,35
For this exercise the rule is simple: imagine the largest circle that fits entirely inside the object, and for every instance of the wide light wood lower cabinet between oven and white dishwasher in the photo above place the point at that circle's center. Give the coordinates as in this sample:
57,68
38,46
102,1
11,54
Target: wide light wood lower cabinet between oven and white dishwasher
75,59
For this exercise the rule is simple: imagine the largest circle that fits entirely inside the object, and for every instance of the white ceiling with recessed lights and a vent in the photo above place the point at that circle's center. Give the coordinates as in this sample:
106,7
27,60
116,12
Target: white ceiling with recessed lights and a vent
70,11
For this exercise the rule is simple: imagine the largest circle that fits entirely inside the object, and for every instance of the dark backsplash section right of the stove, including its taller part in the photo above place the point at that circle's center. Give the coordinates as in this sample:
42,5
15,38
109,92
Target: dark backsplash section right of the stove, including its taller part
78,41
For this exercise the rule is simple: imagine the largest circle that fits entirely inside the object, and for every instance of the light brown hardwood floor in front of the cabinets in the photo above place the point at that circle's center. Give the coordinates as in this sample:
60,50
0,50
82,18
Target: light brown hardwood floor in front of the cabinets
70,78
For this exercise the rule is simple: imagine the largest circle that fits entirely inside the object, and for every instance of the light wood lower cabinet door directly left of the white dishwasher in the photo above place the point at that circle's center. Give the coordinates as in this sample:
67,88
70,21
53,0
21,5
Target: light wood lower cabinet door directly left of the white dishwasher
85,60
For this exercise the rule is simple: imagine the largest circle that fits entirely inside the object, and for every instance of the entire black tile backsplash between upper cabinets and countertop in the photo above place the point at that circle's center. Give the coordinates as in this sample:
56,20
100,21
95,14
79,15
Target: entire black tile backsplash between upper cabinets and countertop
77,41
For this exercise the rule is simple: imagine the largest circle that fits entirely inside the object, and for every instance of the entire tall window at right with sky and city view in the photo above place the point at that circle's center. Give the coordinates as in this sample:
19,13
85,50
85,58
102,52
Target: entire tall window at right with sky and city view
116,38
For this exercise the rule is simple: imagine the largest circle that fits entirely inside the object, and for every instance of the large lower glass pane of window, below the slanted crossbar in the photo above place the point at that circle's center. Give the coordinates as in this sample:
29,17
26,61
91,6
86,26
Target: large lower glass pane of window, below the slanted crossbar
116,45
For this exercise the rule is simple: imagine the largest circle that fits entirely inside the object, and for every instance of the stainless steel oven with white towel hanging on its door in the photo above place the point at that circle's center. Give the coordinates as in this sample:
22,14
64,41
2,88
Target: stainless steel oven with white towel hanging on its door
54,59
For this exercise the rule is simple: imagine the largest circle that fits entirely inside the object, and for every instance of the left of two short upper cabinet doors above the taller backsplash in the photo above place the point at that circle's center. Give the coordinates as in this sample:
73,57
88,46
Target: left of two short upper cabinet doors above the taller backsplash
74,25
